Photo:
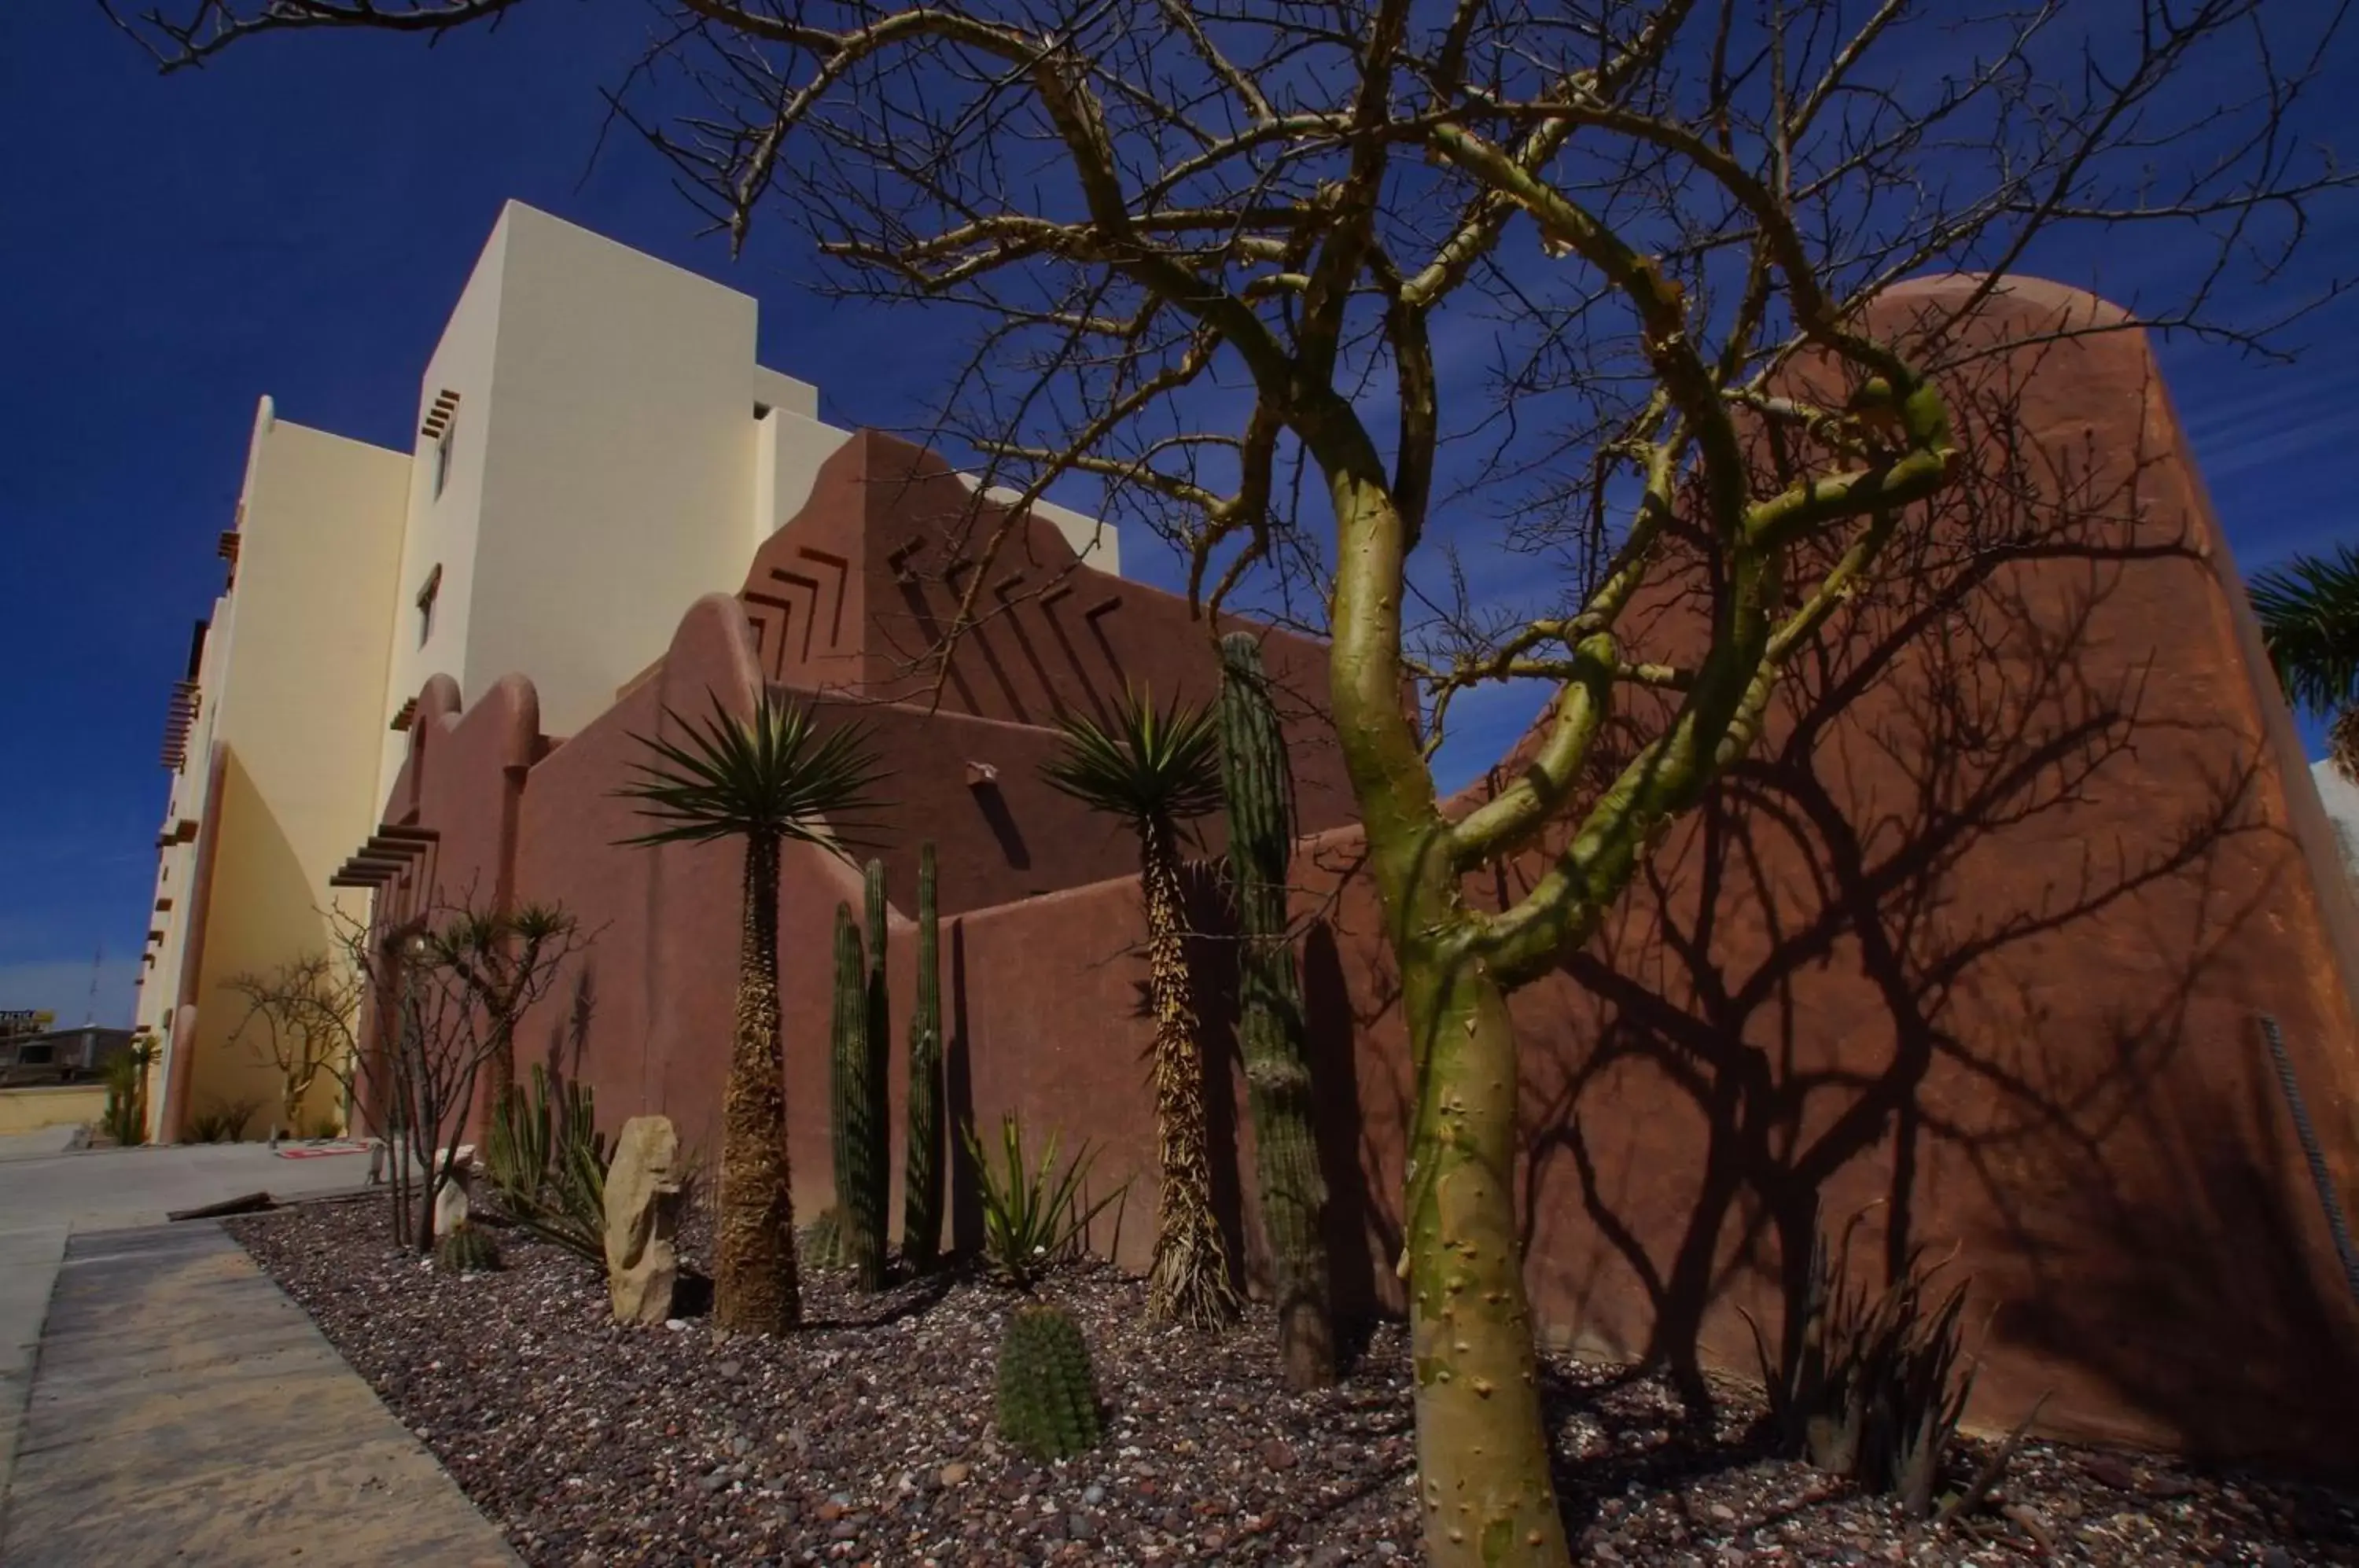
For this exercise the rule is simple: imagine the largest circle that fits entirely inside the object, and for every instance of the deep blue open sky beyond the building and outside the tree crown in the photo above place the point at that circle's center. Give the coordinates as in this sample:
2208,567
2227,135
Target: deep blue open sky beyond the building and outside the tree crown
298,218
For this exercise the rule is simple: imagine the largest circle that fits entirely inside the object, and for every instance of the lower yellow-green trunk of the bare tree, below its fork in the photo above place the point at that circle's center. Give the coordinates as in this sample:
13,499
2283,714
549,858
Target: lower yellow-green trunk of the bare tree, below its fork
1483,1447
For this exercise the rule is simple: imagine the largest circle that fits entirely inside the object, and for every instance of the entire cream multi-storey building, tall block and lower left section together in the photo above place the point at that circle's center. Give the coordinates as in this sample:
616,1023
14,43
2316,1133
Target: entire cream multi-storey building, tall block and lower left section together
596,449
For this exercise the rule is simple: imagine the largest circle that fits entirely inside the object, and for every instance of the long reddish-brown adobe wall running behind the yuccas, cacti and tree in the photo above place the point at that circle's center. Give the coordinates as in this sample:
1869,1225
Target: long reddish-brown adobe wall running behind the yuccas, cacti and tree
1980,933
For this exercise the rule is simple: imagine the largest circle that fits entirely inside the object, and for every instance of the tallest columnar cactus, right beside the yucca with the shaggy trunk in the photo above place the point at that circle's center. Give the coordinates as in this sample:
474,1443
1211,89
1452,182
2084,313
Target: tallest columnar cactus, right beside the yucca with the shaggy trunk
1270,1027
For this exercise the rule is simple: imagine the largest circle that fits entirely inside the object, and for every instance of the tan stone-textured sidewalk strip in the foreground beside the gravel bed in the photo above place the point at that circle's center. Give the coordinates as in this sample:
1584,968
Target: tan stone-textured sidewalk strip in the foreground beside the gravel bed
188,1411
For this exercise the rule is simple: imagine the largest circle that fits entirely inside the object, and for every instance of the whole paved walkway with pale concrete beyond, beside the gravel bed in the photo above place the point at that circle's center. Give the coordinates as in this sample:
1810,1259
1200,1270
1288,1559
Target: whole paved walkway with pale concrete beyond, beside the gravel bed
164,1402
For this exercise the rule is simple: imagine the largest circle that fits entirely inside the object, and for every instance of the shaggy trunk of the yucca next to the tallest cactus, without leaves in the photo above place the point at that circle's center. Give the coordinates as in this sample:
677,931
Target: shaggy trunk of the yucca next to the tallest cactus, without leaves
1190,1279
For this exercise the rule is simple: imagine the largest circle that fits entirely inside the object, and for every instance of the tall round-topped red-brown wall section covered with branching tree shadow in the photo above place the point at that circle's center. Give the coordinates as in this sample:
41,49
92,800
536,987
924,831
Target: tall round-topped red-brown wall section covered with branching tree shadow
1980,933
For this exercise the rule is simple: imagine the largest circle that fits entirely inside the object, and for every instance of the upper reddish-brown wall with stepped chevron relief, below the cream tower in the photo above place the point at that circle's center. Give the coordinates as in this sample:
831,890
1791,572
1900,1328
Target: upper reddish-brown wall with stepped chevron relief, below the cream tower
853,591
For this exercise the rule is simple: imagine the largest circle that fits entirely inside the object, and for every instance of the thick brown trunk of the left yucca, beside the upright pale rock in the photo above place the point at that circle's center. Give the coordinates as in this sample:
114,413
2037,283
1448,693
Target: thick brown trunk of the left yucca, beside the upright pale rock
754,1239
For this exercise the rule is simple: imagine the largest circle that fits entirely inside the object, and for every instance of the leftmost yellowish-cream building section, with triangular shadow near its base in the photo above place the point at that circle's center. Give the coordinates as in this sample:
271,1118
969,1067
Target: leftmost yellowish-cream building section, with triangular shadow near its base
275,751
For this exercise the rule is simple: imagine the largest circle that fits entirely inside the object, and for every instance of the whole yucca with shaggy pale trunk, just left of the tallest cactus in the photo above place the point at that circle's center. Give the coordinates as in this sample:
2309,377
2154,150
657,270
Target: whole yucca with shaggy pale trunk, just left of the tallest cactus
1159,772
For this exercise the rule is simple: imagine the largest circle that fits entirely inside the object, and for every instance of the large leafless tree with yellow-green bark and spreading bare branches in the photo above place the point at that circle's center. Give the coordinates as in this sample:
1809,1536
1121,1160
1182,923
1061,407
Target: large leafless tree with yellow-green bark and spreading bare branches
1235,261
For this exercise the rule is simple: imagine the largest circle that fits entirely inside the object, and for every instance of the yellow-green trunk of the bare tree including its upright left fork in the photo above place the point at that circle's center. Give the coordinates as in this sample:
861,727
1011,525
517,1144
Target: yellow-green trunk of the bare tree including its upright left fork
1483,1449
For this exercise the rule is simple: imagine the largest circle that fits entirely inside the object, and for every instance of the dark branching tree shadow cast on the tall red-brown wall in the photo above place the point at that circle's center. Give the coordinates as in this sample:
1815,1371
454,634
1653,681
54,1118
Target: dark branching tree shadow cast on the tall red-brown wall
1966,907
